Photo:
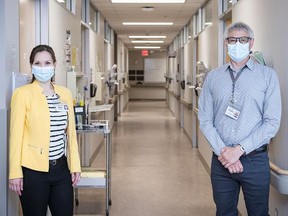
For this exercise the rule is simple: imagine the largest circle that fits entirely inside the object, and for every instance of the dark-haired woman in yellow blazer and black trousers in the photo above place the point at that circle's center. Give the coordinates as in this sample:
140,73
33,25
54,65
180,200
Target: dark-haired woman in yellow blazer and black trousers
43,166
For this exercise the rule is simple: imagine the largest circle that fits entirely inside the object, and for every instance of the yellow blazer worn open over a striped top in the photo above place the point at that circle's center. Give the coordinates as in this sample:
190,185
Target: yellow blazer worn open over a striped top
30,130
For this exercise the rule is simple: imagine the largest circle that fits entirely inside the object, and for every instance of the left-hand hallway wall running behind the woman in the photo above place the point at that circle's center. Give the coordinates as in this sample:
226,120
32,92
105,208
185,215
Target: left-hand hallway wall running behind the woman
56,20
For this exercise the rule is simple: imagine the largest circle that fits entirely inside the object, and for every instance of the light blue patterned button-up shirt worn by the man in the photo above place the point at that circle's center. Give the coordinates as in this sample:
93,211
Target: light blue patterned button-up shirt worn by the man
257,94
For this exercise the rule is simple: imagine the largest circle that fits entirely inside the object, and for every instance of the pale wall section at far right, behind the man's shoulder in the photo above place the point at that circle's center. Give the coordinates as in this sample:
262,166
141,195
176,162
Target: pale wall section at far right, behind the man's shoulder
267,19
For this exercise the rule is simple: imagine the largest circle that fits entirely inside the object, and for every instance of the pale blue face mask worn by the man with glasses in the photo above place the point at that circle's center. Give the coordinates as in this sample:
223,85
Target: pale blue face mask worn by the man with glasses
238,52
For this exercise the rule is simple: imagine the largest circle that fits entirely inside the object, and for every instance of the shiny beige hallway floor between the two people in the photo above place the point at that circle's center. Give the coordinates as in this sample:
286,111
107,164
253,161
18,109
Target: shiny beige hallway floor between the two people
155,171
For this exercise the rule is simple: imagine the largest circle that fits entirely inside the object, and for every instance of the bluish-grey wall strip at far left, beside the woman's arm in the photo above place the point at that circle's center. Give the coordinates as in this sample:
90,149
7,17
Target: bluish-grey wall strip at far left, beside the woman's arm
9,62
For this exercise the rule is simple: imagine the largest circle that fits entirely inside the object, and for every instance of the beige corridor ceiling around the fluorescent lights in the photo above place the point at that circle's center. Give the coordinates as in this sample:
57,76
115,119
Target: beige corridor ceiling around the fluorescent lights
116,13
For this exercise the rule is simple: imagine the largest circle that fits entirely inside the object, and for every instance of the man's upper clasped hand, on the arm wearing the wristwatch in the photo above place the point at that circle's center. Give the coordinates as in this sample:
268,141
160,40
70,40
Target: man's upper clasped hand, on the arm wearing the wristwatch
229,155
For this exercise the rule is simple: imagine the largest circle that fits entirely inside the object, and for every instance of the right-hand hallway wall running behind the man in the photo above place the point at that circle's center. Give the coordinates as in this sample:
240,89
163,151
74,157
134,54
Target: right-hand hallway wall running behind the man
267,20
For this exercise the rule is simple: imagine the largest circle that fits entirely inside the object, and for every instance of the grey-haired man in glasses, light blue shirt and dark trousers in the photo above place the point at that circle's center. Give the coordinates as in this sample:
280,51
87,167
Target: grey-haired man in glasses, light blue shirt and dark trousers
239,113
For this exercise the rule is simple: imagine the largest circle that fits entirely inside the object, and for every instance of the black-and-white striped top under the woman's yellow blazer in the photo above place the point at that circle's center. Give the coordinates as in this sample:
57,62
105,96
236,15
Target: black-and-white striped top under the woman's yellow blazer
58,125
